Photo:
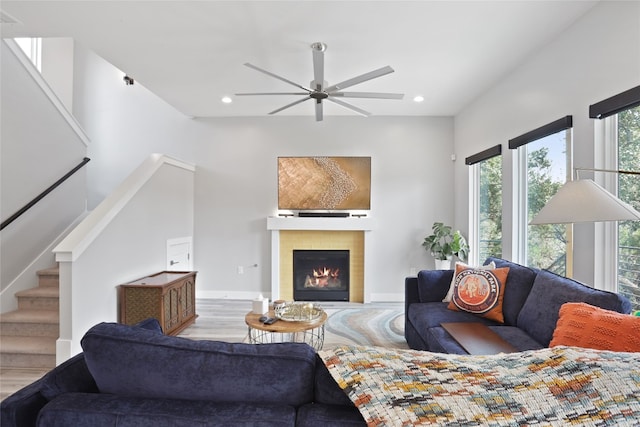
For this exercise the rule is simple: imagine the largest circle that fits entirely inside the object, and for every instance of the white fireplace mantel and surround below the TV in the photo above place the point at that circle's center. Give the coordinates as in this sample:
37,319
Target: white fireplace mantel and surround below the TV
277,224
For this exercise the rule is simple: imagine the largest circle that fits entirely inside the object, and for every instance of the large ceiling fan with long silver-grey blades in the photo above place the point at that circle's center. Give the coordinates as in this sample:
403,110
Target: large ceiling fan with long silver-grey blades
320,91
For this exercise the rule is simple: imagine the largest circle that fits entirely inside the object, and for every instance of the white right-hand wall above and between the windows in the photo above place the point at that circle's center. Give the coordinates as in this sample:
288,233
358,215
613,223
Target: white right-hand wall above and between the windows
596,58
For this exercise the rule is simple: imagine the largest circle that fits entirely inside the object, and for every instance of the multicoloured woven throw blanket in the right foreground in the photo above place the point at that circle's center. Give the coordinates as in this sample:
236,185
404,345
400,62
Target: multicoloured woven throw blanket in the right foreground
550,387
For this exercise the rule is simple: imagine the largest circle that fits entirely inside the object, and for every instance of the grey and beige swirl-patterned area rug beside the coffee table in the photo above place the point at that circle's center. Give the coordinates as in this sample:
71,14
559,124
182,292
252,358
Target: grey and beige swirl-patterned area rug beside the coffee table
380,327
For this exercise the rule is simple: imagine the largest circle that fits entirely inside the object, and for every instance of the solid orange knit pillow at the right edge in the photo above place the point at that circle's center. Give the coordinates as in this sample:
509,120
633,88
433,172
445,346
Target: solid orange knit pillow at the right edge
583,325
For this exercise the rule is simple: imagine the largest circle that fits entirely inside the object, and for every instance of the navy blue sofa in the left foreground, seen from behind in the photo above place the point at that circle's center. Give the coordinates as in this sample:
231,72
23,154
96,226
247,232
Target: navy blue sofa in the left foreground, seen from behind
137,376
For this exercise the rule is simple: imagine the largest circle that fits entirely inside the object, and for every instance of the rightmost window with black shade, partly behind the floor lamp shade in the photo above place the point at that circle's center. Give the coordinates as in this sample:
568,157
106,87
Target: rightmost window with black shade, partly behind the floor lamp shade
620,150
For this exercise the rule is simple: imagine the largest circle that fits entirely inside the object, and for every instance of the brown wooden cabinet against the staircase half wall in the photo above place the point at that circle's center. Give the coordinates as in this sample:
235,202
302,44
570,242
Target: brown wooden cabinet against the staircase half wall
169,296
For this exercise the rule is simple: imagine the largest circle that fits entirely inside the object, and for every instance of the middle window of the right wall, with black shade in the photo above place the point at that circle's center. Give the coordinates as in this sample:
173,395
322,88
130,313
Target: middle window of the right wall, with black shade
543,158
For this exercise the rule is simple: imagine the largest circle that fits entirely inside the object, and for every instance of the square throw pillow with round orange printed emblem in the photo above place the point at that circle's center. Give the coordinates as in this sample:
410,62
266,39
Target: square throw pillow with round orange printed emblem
479,291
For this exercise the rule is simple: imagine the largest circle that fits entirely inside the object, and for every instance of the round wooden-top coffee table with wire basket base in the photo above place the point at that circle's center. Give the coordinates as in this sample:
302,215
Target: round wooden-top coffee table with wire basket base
311,332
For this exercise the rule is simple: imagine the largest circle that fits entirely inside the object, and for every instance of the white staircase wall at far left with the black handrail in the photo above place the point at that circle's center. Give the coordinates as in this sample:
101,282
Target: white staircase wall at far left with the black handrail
39,146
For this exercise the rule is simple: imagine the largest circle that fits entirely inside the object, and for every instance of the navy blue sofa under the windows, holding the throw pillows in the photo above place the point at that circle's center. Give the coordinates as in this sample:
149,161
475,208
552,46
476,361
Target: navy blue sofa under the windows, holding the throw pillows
532,299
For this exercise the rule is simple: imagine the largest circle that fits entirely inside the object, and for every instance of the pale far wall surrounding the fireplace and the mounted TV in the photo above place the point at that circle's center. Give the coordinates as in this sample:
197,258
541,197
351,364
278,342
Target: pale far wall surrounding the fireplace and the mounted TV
236,190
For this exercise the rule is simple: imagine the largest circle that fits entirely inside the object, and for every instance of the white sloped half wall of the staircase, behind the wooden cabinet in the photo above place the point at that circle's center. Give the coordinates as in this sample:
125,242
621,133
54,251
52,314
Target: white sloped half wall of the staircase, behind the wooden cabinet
132,244
